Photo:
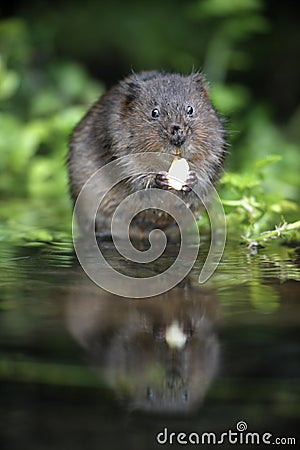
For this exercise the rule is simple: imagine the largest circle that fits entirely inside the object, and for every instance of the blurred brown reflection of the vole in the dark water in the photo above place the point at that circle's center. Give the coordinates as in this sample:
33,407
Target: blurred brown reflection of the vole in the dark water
158,354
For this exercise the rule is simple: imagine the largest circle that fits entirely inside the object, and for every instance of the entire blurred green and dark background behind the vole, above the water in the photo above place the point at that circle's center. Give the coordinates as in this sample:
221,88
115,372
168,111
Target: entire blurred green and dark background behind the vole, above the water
56,58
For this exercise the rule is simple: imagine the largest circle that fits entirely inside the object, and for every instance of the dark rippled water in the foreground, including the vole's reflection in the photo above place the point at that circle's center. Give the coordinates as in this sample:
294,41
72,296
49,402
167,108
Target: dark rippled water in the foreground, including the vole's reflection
83,369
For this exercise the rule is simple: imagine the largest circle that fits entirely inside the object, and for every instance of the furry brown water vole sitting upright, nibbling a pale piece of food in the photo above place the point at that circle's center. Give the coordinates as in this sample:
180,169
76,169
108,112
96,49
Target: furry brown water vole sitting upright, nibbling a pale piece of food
161,113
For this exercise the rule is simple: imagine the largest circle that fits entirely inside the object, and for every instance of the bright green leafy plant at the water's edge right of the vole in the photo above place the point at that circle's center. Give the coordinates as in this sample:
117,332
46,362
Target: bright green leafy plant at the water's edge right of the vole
251,211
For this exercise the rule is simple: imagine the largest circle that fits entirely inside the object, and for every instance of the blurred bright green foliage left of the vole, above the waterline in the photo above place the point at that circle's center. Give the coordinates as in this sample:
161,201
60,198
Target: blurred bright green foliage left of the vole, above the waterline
39,106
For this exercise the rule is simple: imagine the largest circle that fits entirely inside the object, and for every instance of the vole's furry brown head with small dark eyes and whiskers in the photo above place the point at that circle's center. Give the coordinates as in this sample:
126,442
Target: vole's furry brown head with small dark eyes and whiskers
163,112
